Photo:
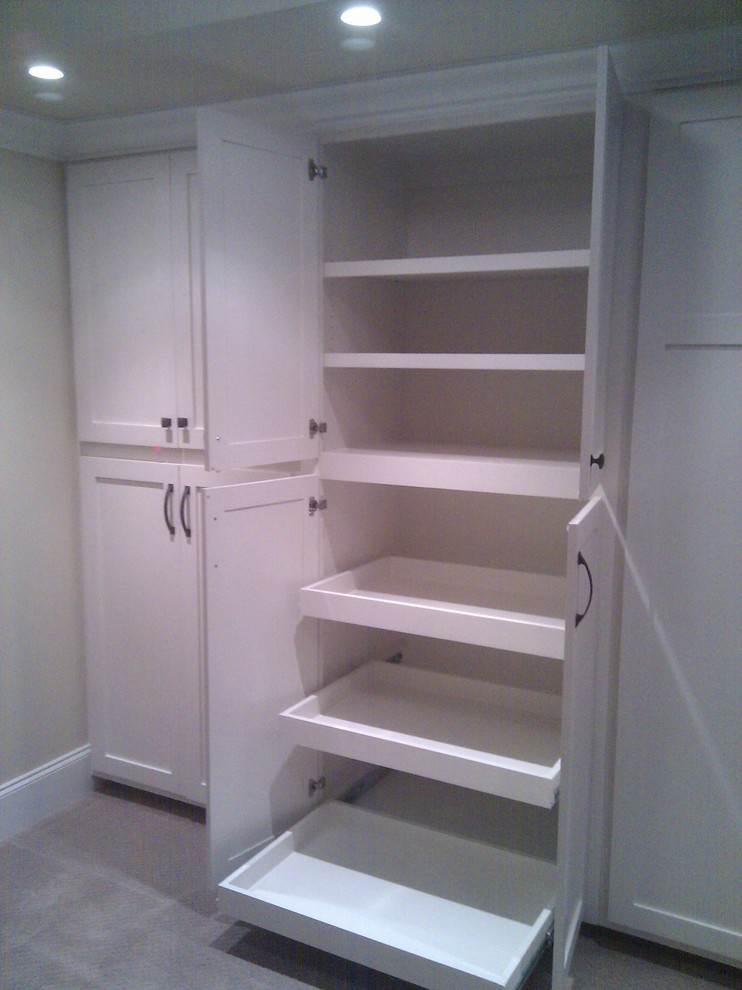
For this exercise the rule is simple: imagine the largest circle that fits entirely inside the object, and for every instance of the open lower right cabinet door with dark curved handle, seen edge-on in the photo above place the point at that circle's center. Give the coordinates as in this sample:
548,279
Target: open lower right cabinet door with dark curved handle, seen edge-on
585,535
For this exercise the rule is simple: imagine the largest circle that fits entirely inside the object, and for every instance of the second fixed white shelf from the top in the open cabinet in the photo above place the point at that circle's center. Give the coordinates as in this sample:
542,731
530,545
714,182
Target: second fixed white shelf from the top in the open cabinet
458,362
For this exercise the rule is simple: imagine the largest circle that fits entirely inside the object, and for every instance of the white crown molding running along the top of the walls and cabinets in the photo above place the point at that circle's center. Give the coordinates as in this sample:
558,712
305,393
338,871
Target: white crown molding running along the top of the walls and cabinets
540,85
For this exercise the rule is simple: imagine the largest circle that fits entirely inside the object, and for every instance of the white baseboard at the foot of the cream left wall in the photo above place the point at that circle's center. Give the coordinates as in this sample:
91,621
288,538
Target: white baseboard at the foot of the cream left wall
44,792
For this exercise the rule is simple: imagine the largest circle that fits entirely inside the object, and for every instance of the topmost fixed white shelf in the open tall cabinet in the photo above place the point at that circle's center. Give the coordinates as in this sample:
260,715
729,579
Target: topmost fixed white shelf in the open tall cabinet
473,264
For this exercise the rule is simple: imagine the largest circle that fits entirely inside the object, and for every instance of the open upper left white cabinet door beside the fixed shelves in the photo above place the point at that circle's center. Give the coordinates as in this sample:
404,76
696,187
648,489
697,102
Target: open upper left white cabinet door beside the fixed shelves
261,291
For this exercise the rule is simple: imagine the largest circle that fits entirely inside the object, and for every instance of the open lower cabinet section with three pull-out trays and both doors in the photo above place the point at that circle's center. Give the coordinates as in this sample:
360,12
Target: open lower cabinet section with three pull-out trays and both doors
428,823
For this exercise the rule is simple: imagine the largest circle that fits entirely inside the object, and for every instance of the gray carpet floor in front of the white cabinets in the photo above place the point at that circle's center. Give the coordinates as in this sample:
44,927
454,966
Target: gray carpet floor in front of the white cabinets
110,896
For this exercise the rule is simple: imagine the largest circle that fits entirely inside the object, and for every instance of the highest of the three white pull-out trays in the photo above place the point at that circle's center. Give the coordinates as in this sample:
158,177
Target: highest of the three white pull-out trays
506,610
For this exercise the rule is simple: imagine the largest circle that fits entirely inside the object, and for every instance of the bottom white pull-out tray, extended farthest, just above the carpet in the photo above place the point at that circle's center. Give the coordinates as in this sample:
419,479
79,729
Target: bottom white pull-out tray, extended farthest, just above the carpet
424,906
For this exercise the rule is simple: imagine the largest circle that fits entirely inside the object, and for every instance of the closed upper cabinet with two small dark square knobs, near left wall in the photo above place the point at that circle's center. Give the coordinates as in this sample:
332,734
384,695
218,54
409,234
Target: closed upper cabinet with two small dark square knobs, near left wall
135,275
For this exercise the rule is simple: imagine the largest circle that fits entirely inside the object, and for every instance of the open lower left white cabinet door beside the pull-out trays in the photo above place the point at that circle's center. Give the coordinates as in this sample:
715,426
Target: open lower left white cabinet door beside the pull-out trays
261,546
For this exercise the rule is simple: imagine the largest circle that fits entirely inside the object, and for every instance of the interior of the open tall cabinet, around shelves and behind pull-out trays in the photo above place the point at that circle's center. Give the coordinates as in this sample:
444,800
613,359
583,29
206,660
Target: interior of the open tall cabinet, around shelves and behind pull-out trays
472,365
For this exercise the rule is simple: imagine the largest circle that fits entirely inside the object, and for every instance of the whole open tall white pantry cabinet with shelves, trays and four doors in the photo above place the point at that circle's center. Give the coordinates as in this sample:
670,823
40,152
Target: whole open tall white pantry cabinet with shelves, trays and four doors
408,624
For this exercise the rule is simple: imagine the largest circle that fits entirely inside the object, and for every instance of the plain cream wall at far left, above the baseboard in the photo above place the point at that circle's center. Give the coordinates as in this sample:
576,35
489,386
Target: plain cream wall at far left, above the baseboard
42,700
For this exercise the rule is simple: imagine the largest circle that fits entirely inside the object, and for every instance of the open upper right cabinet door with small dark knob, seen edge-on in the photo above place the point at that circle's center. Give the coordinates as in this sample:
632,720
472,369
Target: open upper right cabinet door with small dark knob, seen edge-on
603,227
